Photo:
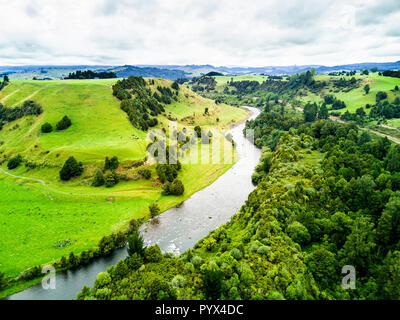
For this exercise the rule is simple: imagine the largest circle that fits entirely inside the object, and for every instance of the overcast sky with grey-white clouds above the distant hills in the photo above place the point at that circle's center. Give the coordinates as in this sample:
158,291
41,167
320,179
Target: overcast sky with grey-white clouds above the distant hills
218,32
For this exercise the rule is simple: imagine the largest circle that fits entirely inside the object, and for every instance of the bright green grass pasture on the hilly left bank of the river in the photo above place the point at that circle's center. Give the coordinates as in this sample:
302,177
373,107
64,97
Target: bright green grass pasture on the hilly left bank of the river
34,217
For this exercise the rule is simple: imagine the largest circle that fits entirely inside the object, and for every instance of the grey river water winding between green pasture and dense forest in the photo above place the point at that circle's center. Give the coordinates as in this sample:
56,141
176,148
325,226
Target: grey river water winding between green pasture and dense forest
179,228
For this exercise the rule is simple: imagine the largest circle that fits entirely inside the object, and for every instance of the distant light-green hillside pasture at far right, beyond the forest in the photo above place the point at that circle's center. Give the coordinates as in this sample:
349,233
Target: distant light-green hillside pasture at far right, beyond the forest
357,98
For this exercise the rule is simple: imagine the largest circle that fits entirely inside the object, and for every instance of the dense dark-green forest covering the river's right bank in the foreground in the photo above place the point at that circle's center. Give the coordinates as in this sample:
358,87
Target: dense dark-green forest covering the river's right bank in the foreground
327,196
